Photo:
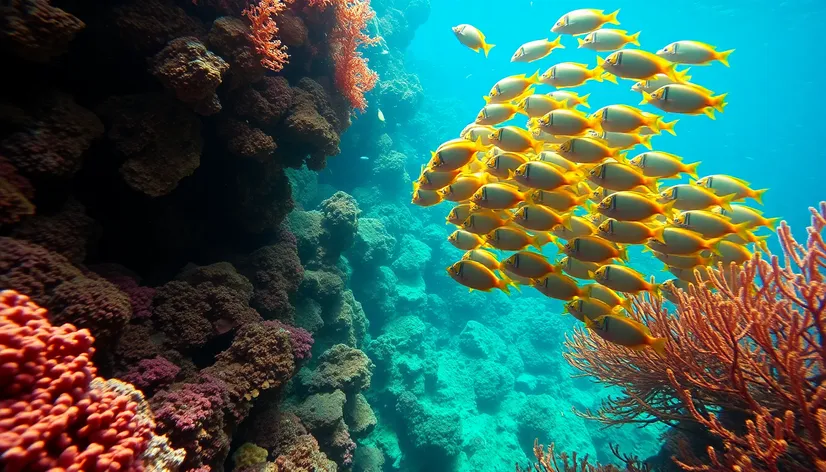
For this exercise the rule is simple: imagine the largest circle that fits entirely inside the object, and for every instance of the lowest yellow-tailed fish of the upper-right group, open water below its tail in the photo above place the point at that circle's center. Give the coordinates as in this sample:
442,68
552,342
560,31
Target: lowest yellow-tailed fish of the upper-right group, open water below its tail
688,99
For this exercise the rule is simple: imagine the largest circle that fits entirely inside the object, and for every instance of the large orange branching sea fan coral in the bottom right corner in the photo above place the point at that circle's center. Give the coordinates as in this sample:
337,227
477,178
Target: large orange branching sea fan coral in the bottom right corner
745,360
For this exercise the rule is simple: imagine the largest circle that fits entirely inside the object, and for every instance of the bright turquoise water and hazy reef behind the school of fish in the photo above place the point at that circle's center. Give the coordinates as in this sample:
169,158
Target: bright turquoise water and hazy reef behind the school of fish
468,381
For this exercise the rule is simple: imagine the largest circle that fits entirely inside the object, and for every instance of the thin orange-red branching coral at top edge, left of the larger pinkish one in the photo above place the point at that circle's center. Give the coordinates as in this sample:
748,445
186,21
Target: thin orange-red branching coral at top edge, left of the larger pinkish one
264,30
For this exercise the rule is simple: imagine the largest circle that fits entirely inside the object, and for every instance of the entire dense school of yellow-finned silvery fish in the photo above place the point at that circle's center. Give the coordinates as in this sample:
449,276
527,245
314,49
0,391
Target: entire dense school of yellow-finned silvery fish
572,180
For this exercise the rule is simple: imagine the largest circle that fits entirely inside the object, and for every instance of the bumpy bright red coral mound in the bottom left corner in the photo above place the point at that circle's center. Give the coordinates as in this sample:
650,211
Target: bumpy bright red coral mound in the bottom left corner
54,412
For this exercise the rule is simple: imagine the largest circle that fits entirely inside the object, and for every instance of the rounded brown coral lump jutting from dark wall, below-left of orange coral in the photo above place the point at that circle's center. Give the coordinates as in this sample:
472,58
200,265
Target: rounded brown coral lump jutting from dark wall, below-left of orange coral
192,72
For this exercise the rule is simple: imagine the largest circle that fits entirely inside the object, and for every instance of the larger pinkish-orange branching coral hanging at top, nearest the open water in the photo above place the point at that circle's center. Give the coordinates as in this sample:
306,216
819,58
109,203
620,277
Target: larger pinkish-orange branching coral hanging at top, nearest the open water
352,75
